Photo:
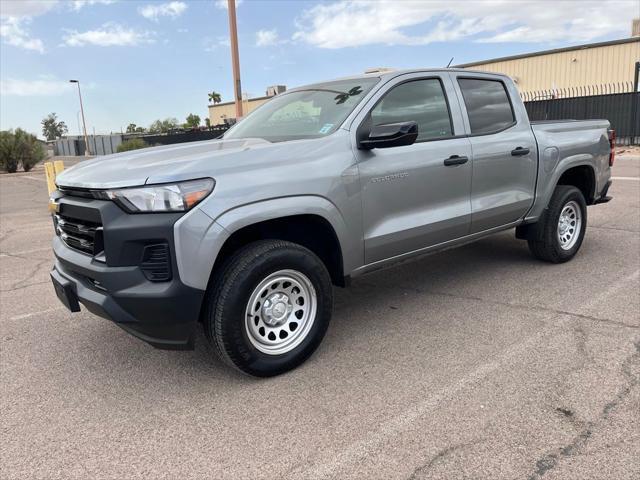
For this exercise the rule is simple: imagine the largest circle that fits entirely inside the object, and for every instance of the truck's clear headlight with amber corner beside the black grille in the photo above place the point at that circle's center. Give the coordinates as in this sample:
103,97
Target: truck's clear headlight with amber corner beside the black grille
170,197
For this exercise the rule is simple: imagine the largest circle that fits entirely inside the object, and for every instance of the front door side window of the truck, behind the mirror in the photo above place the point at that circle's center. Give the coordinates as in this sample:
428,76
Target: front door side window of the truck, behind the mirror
422,101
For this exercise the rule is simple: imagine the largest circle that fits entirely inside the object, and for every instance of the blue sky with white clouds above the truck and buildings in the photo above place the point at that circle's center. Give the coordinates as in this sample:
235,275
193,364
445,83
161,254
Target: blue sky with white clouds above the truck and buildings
138,61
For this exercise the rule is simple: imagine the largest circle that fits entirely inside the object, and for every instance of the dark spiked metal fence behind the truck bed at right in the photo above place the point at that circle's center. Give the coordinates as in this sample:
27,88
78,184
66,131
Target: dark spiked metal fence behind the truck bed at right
617,103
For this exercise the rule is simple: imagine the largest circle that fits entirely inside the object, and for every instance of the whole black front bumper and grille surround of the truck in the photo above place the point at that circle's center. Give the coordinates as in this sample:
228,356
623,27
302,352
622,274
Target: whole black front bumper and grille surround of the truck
162,313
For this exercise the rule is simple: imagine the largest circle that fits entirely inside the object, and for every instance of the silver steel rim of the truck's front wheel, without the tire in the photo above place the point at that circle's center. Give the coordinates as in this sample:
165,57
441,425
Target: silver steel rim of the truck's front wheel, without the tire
280,312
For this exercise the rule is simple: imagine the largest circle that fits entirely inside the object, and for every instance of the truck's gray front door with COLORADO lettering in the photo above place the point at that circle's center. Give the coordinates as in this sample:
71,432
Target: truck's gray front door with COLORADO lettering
411,199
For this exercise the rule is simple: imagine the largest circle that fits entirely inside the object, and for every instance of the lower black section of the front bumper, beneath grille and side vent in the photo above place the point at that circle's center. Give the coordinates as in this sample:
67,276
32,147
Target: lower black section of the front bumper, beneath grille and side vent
163,314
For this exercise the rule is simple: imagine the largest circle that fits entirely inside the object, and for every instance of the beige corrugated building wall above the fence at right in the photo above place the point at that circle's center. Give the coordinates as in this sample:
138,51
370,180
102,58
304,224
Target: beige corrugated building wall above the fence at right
595,64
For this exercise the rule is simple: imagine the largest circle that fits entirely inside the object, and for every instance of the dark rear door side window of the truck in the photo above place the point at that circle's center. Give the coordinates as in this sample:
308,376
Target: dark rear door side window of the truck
487,105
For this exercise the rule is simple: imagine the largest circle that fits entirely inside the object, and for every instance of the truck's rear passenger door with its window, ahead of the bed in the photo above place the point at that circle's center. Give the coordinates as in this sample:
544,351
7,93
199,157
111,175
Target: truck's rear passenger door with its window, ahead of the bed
504,151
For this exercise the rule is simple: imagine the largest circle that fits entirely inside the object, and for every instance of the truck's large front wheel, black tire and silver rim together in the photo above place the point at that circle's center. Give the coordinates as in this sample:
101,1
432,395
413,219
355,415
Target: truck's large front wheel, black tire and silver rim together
269,307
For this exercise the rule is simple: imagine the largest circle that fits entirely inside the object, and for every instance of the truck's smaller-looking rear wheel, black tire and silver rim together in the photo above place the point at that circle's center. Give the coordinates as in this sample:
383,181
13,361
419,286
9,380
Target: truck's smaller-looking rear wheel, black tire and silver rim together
557,237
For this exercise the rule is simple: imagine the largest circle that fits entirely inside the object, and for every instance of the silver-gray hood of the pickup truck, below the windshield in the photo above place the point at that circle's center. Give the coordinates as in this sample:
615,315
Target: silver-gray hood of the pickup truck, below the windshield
165,164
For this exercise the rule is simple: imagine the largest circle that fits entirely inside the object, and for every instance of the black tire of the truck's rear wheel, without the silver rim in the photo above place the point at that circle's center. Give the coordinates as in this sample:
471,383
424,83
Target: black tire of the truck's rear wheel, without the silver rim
544,242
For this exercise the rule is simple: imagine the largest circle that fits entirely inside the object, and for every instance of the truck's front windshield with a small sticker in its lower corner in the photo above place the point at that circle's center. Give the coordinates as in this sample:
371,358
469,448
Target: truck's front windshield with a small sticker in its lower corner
315,111
